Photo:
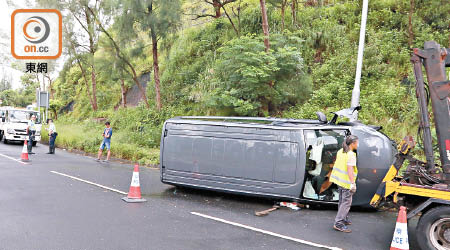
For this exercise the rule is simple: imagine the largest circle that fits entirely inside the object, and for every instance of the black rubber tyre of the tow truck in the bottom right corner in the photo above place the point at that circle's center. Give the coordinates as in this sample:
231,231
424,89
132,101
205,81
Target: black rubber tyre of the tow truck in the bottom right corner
424,227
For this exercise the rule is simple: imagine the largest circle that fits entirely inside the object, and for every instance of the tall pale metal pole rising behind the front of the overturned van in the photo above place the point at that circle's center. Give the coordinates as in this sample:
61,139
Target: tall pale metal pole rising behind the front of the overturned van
362,34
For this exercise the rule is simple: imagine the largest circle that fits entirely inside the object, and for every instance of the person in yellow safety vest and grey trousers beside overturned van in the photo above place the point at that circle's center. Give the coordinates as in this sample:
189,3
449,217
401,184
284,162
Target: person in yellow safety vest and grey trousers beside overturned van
344,175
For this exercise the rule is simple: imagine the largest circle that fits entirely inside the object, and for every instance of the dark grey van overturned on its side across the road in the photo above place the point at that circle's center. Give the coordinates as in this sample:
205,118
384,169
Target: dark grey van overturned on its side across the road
270,157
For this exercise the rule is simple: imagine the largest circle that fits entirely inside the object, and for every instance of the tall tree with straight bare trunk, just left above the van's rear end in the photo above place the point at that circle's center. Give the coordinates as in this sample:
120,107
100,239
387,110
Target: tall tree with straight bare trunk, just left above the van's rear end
155,17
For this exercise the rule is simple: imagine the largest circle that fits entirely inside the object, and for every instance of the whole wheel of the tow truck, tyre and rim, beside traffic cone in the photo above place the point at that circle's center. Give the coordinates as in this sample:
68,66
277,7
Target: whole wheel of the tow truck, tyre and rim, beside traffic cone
433,229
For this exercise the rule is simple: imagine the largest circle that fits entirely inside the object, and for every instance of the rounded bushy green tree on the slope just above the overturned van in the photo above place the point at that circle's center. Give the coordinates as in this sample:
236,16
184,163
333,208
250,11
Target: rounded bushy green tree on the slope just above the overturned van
250,81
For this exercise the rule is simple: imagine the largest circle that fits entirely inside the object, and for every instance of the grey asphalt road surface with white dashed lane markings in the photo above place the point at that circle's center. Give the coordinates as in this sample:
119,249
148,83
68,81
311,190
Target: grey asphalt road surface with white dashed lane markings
43,207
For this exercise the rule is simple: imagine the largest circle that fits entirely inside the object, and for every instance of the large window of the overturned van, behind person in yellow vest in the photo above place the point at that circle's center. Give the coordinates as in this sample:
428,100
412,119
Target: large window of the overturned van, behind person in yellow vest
322,147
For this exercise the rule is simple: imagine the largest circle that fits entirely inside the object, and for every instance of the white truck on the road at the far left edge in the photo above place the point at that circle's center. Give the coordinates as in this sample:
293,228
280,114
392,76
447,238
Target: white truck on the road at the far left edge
14,123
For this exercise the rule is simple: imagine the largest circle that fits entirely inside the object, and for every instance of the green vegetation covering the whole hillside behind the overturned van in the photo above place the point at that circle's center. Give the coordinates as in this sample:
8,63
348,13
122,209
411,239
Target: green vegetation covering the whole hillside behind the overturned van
211,66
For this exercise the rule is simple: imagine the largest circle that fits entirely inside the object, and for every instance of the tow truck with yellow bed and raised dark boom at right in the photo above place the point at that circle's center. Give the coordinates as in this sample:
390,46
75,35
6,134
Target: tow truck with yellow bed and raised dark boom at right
424,188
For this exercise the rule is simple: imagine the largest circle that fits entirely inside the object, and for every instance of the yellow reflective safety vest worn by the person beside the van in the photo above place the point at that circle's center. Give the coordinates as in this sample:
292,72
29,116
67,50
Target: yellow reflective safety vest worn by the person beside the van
339,175
